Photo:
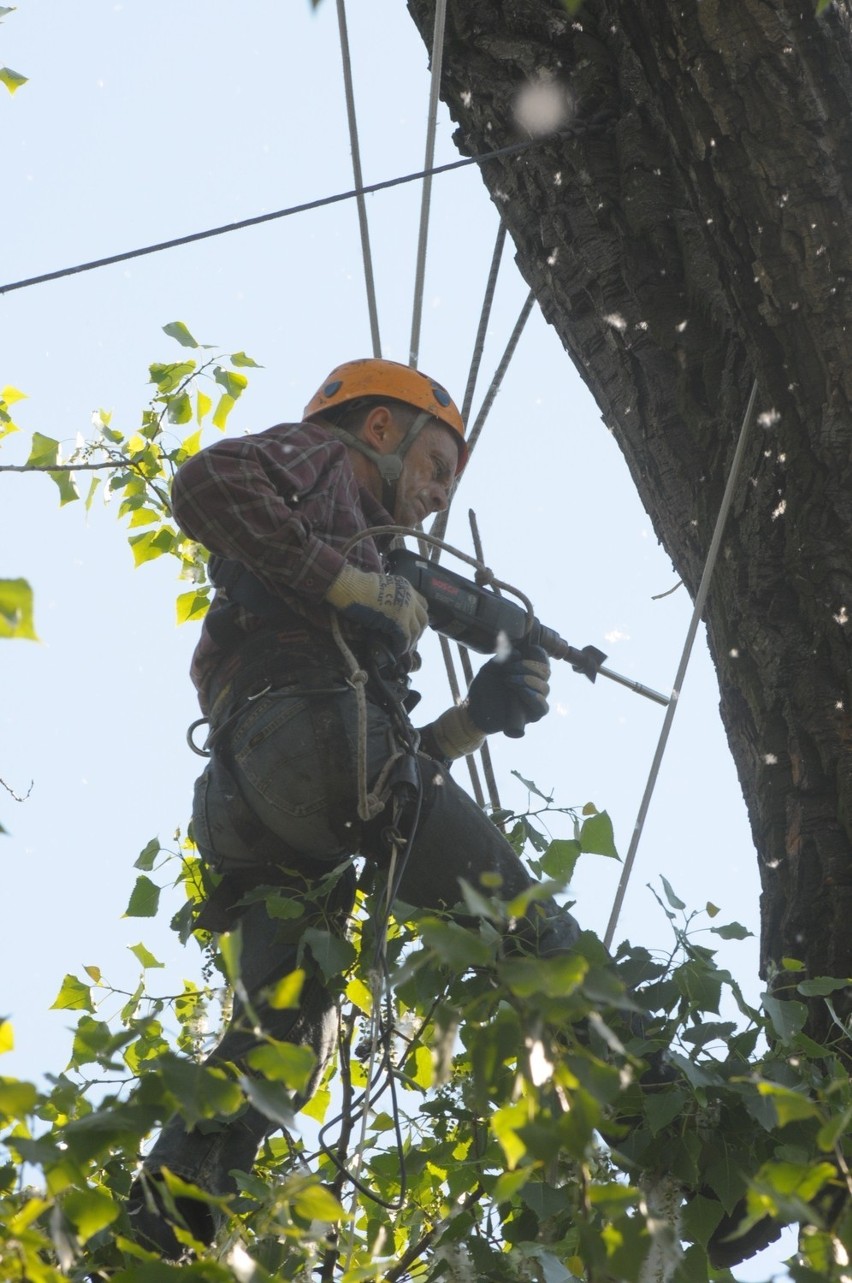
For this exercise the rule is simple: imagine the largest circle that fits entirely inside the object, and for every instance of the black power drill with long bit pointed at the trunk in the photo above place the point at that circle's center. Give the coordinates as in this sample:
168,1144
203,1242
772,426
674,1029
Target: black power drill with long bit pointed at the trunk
478,618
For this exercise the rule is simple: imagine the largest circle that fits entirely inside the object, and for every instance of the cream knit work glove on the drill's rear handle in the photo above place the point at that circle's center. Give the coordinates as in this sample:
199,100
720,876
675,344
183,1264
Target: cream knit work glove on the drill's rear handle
382,604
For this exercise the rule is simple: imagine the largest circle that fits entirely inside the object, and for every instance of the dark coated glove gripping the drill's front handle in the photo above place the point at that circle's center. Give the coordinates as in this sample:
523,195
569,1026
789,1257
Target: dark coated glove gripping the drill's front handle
506,695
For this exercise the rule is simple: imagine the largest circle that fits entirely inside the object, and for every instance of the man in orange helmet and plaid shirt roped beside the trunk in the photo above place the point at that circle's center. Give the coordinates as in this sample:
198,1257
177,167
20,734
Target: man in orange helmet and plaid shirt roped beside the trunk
305,772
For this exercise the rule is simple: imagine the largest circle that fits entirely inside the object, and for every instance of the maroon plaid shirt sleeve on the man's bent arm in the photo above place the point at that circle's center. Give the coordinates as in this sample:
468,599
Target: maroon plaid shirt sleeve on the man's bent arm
241,500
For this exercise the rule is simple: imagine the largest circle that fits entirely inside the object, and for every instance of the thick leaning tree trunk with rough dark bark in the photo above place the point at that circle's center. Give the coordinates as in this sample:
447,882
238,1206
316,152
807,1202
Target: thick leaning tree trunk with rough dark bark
694,235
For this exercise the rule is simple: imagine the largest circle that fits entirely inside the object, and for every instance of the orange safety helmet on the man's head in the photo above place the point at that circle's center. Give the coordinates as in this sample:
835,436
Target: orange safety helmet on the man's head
373,377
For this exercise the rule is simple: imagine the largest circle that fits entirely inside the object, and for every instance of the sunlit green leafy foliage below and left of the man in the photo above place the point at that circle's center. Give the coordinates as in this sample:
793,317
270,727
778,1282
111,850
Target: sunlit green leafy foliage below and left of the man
519,1119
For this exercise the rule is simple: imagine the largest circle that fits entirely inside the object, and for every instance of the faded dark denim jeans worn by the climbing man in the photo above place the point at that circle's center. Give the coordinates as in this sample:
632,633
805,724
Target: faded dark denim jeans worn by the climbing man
278,805
